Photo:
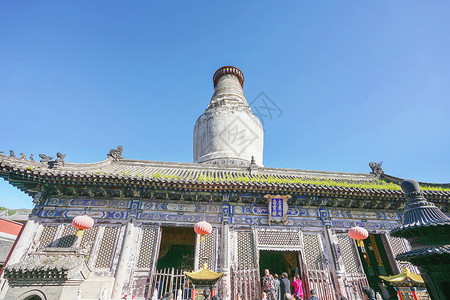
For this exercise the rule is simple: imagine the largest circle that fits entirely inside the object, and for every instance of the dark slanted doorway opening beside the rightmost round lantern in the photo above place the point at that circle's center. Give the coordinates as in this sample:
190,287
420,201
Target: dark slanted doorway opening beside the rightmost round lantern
375,263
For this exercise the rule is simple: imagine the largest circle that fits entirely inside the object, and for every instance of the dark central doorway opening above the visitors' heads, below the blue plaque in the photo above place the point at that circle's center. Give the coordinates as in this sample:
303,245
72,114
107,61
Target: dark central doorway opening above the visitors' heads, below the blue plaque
279,261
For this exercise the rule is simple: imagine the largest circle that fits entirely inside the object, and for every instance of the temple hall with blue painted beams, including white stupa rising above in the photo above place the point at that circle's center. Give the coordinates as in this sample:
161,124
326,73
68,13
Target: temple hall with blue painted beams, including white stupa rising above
144,212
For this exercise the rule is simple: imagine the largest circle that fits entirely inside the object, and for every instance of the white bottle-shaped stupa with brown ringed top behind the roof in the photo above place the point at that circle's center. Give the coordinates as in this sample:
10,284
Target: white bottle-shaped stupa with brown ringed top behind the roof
228,133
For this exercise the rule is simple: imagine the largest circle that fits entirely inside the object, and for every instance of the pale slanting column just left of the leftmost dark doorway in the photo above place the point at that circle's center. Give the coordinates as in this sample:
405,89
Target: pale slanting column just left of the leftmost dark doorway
124,260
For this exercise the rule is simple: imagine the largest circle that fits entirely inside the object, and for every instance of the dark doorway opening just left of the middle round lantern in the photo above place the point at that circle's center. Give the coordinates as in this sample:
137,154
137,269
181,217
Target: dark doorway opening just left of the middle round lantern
177,248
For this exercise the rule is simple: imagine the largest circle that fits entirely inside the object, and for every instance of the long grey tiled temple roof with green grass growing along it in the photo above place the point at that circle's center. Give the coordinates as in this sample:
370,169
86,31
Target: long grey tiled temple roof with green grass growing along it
116,170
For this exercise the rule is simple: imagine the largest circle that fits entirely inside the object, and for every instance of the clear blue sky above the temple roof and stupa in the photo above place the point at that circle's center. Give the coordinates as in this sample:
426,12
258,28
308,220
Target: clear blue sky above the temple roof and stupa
356,81
